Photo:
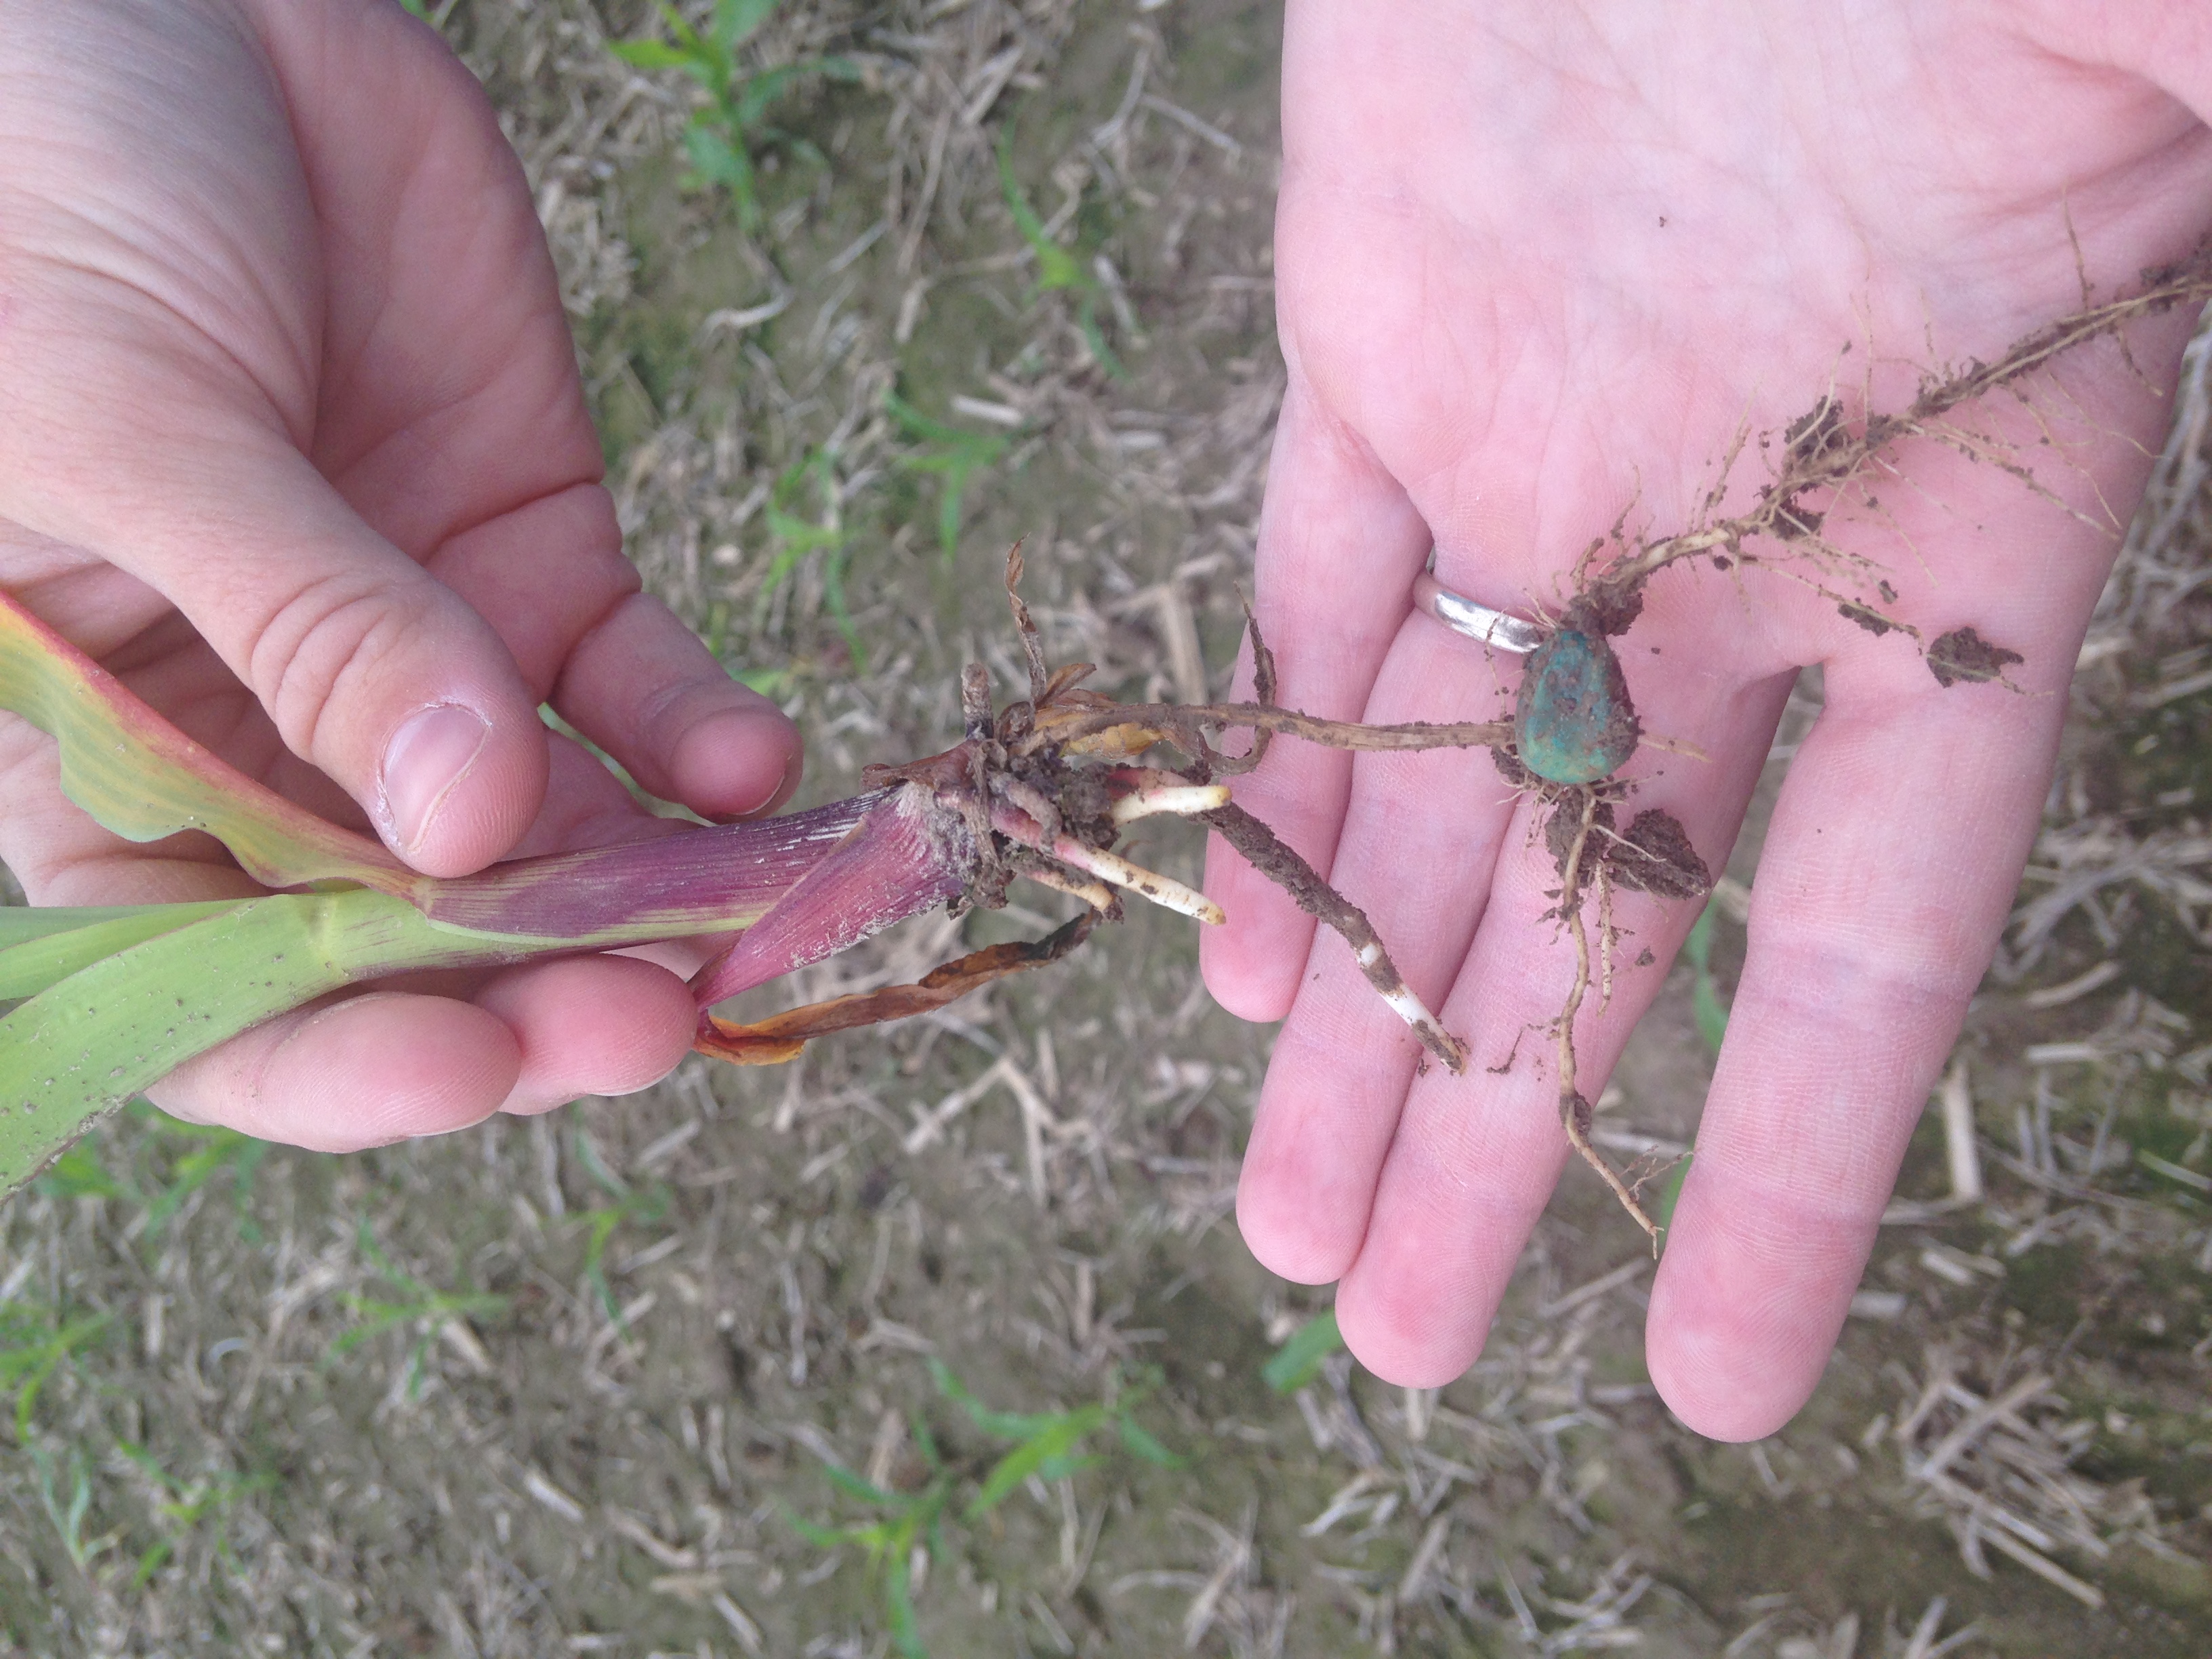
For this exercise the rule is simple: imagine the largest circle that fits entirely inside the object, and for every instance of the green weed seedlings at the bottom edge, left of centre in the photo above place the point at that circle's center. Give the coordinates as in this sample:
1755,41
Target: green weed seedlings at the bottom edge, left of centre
1047,1446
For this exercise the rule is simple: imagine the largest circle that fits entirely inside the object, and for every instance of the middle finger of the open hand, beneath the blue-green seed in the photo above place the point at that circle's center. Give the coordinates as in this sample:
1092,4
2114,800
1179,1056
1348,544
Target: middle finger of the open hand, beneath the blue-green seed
1474,1158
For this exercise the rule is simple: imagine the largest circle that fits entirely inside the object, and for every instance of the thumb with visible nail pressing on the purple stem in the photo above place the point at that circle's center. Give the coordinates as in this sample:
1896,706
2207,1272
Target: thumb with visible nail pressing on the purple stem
368,667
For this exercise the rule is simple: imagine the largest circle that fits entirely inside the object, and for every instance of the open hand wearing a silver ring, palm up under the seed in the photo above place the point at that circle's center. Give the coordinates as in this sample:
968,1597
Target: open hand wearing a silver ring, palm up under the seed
1536,271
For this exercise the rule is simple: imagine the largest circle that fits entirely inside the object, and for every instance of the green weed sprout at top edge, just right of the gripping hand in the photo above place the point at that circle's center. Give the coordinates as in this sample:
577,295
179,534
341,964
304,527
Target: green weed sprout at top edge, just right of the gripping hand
722,136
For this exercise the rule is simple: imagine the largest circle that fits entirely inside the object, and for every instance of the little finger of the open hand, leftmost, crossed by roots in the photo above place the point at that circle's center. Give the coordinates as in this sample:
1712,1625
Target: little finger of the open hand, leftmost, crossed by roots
1339,545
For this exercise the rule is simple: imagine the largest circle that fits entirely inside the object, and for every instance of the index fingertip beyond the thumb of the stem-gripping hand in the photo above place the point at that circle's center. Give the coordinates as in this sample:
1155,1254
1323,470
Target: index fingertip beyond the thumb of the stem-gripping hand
647,691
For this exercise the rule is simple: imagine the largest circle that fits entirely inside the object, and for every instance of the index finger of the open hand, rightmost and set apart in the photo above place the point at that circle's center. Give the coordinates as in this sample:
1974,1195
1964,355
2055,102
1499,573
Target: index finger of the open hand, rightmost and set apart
1886,879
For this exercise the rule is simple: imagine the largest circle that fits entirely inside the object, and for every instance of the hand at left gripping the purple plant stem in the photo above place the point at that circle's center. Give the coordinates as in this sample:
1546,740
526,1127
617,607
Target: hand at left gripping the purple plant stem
293,439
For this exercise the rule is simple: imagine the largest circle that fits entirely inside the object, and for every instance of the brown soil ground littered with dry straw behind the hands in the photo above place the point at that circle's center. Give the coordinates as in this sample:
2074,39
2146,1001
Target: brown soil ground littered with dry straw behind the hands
576,1384
